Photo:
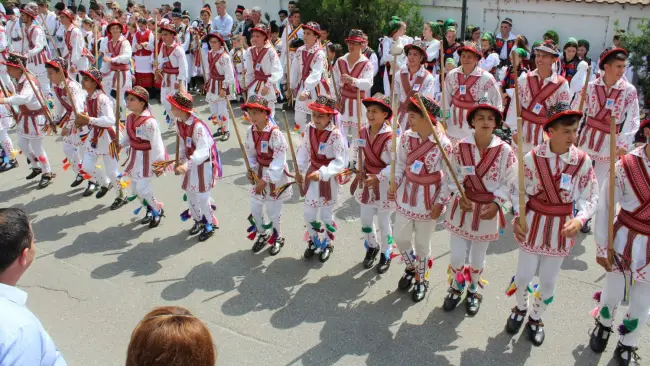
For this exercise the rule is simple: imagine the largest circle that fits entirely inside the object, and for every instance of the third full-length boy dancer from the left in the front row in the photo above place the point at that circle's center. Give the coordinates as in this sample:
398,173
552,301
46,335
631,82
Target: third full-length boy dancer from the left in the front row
99,116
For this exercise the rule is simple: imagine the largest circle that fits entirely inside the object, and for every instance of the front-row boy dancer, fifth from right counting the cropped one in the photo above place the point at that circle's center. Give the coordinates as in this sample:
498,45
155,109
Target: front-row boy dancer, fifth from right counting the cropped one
373,181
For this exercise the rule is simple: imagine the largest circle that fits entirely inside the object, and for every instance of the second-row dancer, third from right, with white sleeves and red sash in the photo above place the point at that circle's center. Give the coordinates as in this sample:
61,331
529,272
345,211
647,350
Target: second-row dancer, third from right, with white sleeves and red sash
463,87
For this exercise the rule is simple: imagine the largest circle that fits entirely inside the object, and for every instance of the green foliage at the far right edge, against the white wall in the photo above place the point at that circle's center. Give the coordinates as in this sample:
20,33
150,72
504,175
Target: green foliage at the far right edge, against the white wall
638,44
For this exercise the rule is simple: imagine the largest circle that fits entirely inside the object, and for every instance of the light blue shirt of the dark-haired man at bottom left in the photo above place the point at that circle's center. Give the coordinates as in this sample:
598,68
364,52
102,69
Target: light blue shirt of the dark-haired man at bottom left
23,341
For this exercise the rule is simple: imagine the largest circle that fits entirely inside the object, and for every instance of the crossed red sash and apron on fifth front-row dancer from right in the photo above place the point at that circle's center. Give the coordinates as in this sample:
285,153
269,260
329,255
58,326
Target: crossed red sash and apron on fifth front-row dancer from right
373,162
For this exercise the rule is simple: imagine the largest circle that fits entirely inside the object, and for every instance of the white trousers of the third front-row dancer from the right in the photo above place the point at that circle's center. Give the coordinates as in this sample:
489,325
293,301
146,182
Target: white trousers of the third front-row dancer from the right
477,254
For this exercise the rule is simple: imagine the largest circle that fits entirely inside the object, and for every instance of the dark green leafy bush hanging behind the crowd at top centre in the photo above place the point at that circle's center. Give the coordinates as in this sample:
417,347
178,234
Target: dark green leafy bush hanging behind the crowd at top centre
371,16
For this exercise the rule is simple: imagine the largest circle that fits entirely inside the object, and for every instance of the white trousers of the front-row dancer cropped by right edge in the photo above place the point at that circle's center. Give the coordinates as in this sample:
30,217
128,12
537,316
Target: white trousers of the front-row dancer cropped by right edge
639,304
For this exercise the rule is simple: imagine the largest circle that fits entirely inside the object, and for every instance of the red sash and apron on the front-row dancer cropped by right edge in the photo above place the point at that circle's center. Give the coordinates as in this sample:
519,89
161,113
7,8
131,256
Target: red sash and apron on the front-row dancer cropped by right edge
638,221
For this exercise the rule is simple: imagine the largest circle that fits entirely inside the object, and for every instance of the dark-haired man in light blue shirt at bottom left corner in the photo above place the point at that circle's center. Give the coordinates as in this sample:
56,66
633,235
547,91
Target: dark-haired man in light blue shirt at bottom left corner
23,341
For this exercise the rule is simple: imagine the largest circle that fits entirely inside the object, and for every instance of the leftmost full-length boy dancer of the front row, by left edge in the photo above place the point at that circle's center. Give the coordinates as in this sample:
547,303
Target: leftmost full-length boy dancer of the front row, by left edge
31,119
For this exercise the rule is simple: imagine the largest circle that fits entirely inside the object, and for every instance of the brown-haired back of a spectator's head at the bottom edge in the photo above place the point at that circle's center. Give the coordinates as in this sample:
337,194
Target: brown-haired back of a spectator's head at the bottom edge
171,335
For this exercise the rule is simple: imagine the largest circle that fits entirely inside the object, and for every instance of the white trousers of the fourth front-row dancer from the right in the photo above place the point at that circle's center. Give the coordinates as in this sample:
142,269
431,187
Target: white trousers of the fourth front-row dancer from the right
405,229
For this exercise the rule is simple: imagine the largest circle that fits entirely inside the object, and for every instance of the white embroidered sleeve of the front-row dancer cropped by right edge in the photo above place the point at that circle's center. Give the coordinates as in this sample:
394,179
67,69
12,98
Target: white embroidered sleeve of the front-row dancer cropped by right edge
601,221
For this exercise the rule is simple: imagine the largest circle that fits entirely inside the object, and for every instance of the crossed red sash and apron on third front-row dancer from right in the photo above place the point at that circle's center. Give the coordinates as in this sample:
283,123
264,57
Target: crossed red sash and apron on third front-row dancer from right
475,189
